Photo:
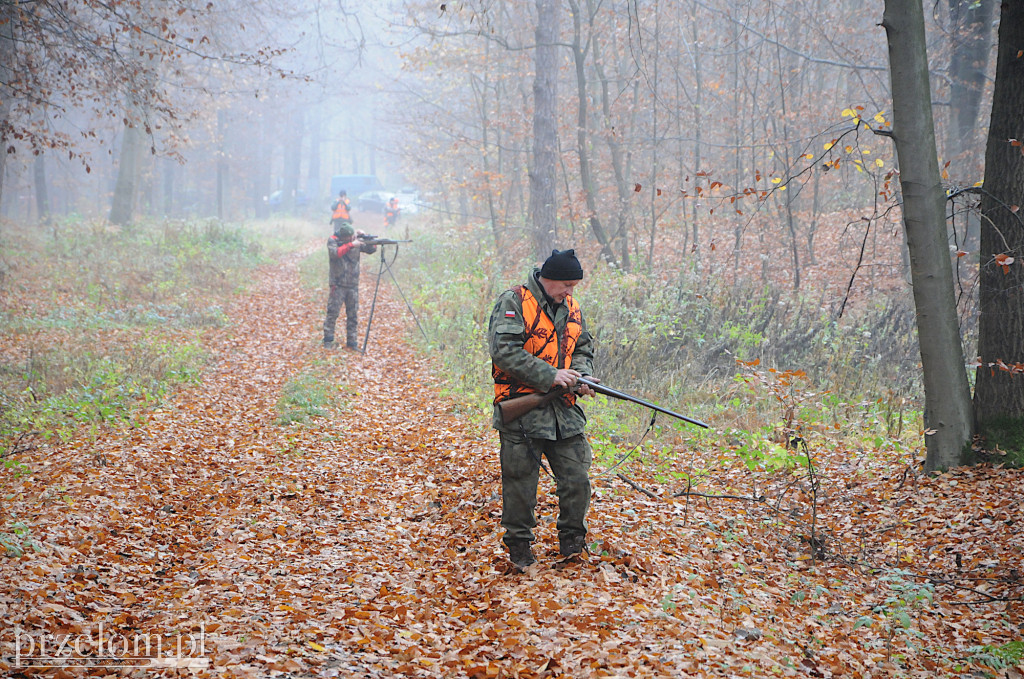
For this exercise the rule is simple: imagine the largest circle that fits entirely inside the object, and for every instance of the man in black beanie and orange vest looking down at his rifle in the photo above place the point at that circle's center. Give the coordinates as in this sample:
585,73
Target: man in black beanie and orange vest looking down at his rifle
539,342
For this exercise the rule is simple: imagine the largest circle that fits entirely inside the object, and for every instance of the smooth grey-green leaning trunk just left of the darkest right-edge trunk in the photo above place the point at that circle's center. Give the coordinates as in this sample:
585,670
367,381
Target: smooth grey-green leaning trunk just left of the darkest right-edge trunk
948,396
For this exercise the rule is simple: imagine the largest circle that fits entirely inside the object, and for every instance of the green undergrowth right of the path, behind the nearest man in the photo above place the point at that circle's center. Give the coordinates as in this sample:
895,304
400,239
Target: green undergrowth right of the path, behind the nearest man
756,363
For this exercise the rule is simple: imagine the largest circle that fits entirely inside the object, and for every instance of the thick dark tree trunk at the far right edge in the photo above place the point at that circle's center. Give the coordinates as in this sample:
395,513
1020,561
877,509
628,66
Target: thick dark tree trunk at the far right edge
999,397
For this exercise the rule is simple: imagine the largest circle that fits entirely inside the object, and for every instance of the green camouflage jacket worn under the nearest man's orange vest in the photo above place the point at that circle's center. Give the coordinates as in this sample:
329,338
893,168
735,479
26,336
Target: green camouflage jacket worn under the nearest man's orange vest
506,337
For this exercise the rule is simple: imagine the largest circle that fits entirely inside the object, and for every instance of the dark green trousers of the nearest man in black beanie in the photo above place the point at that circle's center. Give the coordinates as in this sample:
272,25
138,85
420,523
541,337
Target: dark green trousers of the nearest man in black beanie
570,462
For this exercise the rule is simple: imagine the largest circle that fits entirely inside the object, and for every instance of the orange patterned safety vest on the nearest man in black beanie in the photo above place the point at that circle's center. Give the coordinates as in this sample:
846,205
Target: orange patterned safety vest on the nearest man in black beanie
543,343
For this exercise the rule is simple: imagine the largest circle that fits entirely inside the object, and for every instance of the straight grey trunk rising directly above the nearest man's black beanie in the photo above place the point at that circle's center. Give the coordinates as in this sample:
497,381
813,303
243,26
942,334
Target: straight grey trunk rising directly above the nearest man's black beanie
544,172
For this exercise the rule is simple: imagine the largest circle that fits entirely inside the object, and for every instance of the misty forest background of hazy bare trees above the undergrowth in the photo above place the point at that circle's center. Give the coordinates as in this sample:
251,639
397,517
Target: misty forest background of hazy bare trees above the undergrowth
728,128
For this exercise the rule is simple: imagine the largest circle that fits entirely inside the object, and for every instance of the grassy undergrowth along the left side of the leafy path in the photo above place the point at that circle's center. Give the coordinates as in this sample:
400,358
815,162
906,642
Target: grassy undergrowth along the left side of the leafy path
106,321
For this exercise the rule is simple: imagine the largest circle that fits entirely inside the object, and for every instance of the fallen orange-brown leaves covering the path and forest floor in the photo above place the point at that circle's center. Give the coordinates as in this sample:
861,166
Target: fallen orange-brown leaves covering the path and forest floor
367,543
